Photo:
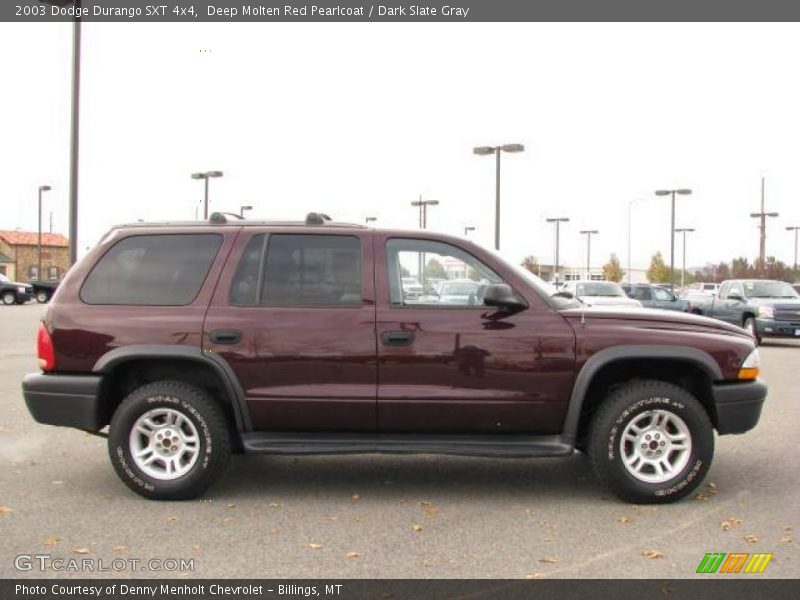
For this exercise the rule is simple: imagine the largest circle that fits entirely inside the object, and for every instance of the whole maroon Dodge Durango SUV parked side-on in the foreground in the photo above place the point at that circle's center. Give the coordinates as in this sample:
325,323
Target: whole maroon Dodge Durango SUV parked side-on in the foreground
193,340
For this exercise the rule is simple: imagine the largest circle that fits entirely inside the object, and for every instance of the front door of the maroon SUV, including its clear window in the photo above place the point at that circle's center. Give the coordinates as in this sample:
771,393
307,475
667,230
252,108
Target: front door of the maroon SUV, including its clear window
446,365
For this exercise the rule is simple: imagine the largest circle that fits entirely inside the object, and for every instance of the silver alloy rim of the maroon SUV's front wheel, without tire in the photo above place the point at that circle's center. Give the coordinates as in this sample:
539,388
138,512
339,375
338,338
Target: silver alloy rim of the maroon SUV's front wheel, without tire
655,446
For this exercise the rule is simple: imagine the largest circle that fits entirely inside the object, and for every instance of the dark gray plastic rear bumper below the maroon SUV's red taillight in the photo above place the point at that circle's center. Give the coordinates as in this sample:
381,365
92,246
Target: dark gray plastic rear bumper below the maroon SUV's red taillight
65,400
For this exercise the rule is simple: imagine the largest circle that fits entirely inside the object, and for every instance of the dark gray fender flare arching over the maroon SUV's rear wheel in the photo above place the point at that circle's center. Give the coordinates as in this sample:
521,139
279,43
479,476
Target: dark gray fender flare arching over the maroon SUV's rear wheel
218,364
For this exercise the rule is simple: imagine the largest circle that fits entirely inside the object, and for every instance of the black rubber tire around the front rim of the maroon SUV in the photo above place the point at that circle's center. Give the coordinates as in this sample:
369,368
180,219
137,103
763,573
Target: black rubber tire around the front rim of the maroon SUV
613,417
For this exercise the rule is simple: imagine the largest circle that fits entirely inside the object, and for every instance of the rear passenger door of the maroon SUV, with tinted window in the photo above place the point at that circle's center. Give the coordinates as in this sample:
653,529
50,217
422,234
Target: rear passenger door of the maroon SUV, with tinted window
294,316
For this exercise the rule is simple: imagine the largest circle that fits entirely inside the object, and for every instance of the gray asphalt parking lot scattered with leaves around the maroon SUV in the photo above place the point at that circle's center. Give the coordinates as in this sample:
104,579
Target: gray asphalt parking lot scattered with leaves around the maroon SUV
390,516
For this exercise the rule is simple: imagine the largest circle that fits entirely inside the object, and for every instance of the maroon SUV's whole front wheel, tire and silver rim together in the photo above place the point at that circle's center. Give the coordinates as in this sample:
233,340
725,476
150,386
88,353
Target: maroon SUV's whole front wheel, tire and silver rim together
651,442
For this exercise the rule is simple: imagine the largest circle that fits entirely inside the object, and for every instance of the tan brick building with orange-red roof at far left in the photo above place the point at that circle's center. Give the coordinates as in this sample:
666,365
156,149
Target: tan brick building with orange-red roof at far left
19,256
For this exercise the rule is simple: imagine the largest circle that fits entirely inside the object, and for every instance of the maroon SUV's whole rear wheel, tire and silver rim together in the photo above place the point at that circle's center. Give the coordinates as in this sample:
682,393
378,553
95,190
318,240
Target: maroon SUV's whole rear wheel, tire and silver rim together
168,440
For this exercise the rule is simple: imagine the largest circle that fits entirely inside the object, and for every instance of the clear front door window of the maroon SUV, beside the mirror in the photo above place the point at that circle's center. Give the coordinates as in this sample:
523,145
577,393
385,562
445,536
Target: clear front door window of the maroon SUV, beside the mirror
430,273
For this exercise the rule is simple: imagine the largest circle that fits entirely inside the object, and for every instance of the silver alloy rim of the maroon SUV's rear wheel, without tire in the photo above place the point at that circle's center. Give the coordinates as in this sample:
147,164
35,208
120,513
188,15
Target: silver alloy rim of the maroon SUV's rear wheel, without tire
164,443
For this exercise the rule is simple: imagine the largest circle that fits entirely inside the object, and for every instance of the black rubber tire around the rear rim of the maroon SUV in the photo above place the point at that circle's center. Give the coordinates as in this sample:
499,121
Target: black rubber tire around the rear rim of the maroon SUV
205,415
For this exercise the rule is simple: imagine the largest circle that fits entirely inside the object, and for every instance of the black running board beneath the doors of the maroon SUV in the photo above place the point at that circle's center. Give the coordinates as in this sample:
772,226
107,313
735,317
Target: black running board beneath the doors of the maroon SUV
399,443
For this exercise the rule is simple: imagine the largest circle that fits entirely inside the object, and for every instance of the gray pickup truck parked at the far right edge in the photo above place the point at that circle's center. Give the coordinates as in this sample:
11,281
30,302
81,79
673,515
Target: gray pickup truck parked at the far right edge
763,307
